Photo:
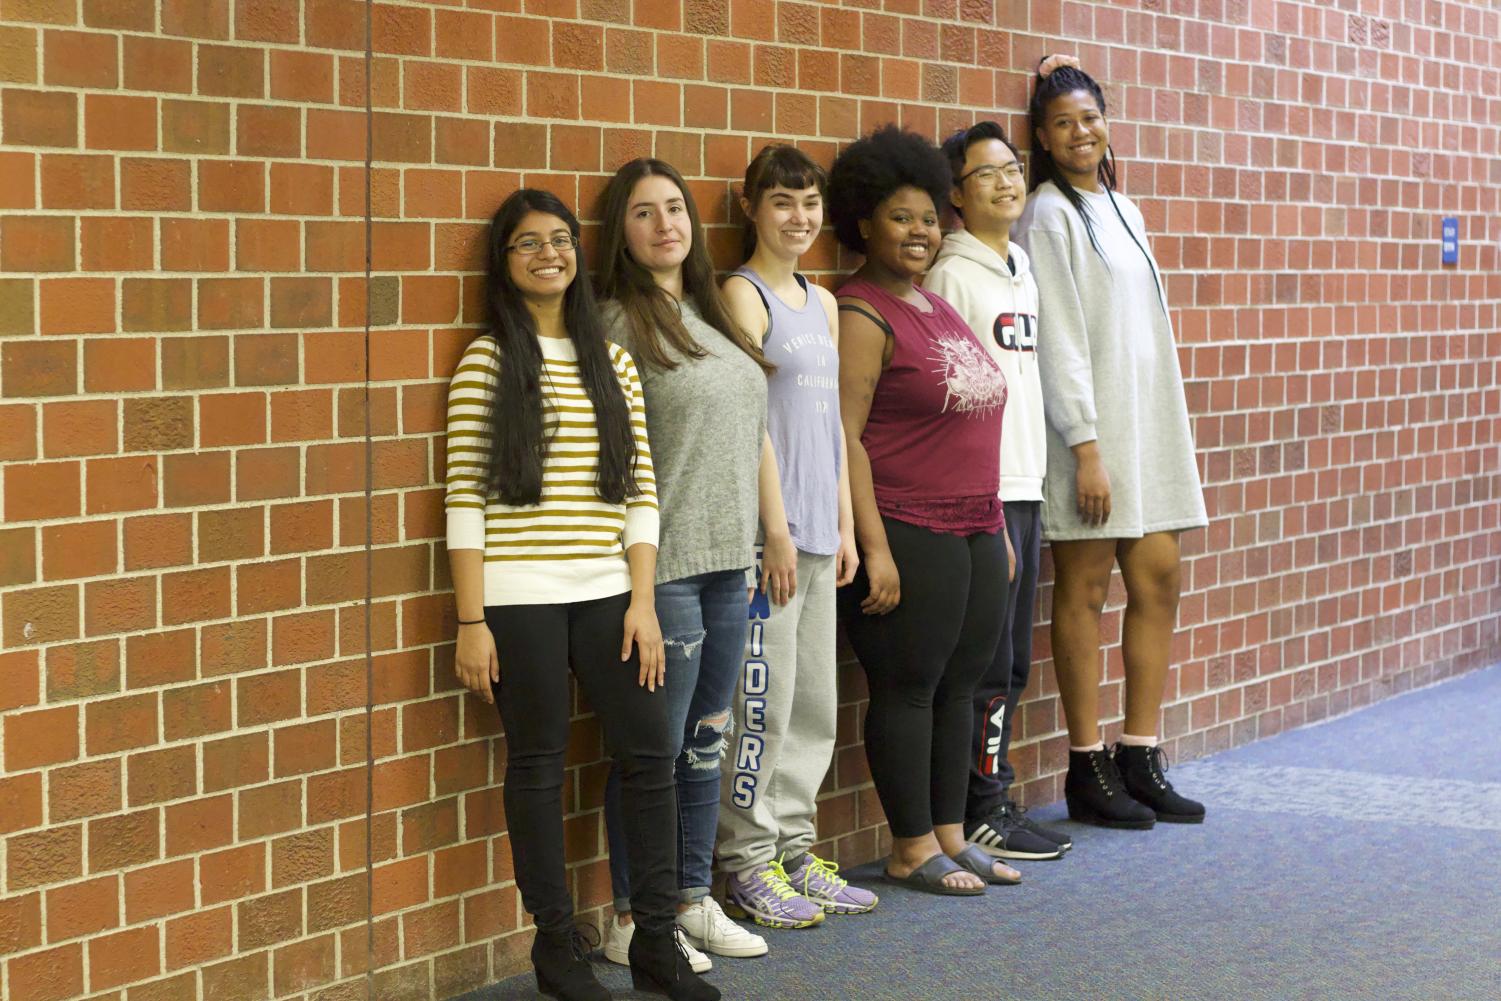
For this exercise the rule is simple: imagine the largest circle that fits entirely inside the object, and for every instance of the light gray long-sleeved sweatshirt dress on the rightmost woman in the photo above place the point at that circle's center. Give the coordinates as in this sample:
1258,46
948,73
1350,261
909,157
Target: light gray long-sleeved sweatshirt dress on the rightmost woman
1110,370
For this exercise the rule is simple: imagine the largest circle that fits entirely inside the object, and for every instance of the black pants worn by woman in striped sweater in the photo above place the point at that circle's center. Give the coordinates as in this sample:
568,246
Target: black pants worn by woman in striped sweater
537,646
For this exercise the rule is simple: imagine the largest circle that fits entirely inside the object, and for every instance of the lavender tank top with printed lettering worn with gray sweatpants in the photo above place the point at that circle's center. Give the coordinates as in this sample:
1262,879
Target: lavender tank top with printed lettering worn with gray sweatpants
804,415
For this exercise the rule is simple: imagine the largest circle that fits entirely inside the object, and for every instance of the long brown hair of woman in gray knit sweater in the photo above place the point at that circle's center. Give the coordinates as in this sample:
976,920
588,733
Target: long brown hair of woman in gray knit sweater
651,311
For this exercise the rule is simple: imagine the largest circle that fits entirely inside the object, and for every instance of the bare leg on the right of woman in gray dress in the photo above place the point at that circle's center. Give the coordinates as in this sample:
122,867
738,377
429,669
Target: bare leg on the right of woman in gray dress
1154,579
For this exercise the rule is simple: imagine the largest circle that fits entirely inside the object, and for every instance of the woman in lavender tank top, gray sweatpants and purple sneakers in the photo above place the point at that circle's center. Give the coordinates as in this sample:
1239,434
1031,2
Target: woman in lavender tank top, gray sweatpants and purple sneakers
786,697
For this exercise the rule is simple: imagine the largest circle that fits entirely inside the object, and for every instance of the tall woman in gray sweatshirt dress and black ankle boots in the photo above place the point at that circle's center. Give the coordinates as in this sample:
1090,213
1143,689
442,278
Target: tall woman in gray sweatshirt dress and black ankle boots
1122,476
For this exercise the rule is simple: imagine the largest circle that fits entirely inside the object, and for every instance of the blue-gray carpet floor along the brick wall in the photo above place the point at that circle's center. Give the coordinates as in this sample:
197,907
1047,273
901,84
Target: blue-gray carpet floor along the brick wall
1359,859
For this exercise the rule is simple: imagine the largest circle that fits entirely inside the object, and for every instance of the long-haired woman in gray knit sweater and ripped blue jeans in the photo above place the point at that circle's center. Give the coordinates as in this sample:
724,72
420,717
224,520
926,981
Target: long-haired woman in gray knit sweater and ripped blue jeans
705,383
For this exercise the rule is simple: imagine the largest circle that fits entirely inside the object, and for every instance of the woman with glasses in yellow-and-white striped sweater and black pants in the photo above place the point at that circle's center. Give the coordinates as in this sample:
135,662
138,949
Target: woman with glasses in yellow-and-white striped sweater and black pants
553,534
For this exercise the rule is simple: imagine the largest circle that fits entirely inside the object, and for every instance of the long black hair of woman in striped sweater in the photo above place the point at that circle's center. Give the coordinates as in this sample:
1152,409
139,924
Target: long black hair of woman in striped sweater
517,425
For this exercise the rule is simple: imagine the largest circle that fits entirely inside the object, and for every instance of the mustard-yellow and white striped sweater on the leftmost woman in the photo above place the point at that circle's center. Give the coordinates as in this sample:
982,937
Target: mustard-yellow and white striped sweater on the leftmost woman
571,546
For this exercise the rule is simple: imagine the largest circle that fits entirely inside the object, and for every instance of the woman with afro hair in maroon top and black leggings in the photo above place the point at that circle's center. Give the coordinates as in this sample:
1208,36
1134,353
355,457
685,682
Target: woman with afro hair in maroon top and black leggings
922,406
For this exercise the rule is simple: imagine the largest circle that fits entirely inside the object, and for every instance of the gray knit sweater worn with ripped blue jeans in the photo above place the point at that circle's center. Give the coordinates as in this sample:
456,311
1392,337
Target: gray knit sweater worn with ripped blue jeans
706,421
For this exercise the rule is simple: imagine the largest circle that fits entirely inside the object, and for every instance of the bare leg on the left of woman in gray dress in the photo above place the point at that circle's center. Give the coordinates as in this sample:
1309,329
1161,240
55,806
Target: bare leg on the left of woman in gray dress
1081,580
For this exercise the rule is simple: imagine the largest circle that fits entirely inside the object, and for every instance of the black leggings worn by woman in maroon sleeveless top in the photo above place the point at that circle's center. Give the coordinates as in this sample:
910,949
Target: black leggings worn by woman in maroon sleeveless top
922,661
